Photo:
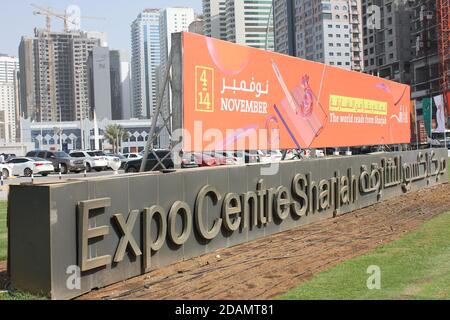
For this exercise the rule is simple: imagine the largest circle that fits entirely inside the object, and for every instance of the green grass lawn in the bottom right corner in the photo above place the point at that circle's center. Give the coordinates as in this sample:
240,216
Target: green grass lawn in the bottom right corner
417,266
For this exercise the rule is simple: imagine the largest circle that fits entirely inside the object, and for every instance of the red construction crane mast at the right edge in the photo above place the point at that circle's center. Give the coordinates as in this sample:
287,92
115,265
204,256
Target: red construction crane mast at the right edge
443,21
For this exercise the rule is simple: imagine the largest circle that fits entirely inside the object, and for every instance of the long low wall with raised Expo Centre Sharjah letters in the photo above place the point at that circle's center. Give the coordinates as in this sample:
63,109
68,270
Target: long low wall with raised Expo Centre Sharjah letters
70,237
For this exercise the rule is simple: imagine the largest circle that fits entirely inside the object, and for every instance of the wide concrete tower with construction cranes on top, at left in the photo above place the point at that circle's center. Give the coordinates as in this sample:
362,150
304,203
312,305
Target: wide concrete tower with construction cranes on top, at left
54,75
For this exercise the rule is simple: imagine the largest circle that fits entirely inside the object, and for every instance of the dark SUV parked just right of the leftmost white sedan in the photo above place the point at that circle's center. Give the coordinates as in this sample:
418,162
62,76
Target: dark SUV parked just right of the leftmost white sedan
59,159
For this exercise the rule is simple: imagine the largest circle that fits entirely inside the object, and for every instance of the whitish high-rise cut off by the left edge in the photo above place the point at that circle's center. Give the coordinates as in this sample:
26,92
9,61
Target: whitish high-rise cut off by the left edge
9,102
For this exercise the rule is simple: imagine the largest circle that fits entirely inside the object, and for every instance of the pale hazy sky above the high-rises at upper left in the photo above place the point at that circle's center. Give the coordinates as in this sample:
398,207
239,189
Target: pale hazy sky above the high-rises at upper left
17,19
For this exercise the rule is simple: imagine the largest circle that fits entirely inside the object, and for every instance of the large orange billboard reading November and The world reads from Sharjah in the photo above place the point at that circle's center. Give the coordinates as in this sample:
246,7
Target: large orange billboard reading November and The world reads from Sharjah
237,97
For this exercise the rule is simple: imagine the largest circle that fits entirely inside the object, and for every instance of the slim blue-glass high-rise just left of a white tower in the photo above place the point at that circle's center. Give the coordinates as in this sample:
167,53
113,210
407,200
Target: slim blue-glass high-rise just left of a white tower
145,59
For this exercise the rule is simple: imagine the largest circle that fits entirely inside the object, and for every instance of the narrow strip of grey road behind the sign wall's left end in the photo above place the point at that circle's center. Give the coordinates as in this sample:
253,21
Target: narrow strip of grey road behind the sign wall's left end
49,178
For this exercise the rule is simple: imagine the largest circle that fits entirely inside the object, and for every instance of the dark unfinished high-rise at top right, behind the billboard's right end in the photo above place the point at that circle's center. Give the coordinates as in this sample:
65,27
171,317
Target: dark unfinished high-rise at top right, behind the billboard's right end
410,44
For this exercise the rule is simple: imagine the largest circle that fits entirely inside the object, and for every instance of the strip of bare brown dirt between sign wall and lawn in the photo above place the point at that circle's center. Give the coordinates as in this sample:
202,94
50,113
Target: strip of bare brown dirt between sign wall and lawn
267,267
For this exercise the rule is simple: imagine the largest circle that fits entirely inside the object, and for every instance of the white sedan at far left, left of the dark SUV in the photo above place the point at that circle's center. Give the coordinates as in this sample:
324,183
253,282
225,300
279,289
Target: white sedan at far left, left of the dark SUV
27,166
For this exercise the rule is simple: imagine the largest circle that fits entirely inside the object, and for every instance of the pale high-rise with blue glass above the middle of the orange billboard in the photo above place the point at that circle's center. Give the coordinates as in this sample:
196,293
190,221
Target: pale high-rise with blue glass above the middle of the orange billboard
325,31
